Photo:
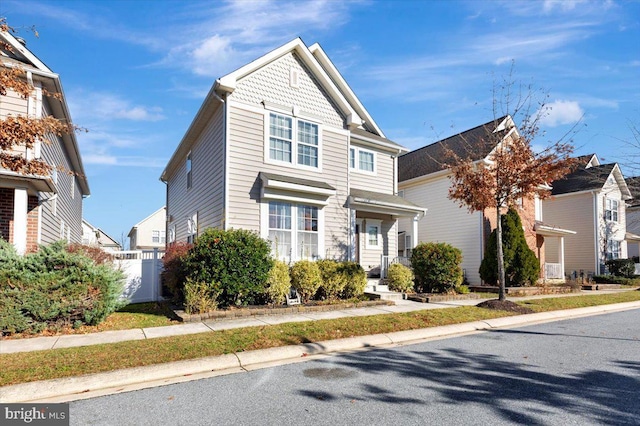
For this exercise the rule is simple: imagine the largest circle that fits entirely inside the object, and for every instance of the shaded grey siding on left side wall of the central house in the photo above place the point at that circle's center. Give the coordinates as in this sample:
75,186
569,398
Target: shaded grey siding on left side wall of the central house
206,196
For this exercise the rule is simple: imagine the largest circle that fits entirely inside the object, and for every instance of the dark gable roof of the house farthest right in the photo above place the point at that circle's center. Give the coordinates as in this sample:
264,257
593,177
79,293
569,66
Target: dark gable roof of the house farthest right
590,178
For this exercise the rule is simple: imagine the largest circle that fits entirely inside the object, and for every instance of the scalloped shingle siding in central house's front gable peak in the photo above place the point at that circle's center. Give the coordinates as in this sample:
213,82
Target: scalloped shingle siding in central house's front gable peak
271,83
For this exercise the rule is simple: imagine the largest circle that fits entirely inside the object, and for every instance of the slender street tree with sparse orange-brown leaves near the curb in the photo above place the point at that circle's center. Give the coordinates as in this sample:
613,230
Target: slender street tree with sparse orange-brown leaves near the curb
512,171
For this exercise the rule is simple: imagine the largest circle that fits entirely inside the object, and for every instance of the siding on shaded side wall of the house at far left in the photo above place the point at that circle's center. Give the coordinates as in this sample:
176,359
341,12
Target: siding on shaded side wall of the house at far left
68,210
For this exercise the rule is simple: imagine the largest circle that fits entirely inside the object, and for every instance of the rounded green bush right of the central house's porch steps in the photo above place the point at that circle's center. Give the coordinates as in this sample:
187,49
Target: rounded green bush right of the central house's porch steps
436,267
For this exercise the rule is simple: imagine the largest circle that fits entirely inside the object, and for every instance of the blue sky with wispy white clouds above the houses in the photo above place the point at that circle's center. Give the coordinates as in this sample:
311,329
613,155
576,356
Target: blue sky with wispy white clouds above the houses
136,72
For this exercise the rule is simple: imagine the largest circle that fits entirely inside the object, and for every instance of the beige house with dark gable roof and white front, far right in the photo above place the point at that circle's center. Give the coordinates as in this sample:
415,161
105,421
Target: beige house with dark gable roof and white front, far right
592,201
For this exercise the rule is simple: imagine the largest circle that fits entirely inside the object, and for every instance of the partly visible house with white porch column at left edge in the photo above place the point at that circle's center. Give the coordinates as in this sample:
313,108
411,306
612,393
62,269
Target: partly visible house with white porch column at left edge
40,209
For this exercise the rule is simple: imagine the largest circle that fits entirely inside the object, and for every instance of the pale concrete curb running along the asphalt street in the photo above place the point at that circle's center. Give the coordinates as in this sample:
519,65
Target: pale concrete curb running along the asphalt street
99,384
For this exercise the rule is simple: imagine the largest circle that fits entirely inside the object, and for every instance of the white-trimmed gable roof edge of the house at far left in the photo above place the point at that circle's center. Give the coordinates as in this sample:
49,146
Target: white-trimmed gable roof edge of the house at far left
23,57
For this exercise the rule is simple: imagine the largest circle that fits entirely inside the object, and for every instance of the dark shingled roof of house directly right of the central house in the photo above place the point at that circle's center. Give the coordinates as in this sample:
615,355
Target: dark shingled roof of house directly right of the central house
473,144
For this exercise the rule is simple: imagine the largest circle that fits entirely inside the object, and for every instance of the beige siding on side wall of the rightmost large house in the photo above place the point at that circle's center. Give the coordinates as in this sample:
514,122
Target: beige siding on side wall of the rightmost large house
574,212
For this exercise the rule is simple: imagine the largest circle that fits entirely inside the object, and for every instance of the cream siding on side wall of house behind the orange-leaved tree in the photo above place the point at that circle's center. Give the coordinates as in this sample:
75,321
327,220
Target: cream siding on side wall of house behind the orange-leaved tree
446,222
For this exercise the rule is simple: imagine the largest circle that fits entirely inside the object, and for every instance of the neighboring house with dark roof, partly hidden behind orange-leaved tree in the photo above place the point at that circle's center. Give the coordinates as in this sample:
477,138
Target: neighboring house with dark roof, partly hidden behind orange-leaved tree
424,180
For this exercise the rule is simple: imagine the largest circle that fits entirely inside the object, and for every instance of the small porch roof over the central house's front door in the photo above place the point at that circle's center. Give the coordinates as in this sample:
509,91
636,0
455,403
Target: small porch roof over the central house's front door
376,202
